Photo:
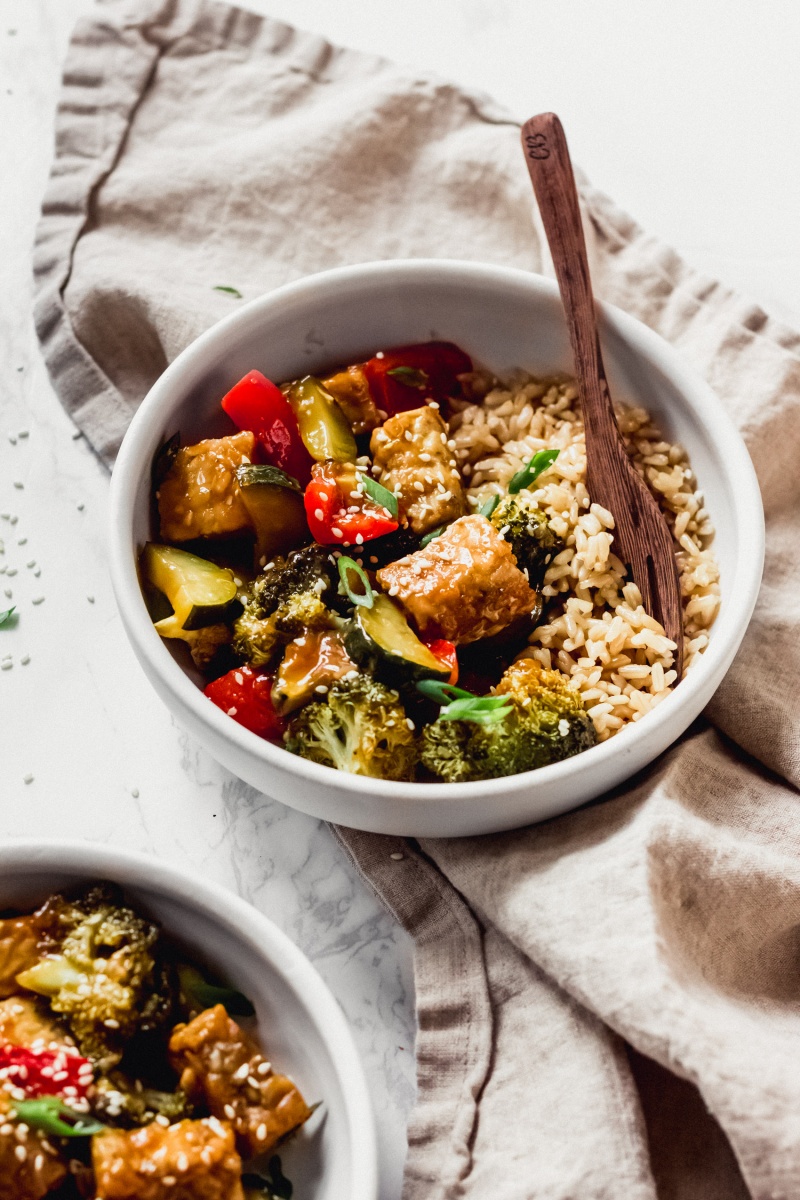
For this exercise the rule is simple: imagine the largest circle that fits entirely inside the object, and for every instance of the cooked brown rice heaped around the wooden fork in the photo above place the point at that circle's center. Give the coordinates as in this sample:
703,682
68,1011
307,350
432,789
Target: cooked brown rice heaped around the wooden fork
597,633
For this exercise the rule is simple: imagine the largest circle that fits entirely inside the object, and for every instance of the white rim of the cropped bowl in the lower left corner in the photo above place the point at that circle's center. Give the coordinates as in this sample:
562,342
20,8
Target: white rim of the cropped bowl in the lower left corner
243,922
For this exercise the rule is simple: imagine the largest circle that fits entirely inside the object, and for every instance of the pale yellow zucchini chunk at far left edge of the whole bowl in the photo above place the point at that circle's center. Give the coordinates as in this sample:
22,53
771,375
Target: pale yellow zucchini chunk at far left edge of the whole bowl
200,592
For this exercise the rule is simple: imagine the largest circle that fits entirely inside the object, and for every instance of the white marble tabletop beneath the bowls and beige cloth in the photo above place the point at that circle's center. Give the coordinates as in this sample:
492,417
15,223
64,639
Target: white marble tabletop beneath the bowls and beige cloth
687,111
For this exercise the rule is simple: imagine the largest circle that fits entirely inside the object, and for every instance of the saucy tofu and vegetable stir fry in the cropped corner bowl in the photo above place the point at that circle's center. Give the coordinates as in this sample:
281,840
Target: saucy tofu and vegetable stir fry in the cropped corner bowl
172,1096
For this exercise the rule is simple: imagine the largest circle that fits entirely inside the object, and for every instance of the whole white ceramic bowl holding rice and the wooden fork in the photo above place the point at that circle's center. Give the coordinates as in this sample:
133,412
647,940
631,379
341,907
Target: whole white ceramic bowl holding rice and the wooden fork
506,320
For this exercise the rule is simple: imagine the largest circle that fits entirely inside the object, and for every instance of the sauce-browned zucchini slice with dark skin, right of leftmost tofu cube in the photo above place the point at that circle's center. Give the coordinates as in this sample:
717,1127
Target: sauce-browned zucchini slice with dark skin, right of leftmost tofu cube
275,506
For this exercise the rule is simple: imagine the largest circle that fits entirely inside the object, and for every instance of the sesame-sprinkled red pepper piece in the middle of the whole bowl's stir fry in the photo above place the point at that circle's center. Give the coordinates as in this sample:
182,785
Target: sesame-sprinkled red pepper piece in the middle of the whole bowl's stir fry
339,514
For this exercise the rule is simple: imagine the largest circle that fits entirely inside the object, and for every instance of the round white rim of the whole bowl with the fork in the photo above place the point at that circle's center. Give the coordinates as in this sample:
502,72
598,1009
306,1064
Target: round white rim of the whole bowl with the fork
322,287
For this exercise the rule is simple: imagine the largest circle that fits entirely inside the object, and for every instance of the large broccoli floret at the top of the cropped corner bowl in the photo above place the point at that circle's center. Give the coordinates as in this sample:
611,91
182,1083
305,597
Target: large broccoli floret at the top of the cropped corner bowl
103,971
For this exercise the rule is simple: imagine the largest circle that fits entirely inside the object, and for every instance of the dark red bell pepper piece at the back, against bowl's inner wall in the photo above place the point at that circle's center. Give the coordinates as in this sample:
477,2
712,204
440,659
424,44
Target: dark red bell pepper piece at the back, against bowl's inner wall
410,376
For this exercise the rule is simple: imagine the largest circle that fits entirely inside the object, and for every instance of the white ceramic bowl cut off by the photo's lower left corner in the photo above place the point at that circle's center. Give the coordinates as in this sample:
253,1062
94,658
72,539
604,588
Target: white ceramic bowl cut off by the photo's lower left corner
299,1022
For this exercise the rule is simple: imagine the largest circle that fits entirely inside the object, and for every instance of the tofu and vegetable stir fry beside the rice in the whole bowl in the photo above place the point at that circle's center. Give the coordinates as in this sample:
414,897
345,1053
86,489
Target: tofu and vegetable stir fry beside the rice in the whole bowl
374,586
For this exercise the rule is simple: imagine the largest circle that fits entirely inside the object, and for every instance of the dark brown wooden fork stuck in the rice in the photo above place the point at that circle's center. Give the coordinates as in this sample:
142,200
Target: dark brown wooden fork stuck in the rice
642,538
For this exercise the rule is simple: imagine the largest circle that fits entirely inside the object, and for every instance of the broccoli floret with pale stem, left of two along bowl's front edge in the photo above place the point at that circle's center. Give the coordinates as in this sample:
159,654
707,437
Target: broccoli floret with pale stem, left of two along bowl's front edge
360,728
